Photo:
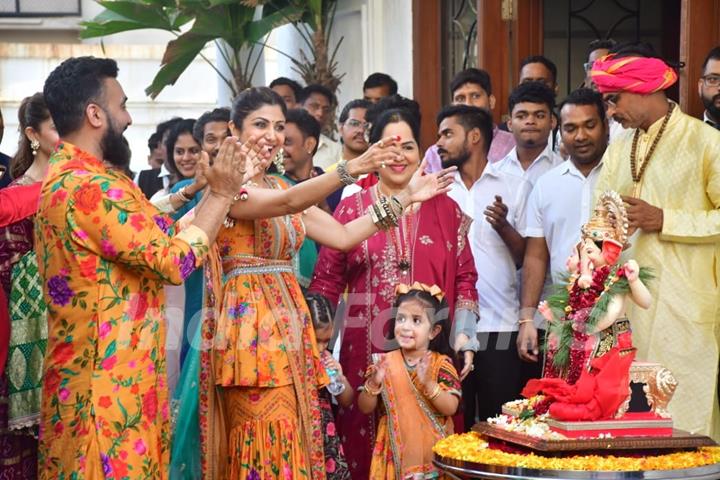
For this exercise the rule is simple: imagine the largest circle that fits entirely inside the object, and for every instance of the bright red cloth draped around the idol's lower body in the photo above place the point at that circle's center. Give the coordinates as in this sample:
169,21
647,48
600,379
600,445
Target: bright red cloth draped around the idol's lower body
596,395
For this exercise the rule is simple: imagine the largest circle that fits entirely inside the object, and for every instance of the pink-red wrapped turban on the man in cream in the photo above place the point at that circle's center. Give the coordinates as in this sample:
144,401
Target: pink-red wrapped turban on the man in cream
632,74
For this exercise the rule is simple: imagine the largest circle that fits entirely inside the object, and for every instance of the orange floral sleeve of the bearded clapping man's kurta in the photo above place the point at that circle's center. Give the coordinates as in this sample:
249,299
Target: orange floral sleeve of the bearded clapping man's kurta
96,203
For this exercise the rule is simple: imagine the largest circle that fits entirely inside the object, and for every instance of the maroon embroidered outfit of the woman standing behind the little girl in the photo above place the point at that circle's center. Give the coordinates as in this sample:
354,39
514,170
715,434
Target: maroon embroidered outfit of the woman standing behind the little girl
435,238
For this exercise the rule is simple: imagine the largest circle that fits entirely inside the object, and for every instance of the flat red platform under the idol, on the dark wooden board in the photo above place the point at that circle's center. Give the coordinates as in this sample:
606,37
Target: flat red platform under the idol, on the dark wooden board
632,424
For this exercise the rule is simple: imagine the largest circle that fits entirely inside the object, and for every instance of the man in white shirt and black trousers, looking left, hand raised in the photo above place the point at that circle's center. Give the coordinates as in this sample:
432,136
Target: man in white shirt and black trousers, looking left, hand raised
495,200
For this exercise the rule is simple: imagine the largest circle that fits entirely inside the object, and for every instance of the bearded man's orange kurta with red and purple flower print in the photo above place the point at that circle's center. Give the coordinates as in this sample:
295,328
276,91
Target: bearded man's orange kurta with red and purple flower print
104,253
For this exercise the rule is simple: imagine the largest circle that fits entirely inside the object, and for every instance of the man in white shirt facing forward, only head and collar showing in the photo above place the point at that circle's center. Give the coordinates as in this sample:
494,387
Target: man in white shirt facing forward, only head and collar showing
531,121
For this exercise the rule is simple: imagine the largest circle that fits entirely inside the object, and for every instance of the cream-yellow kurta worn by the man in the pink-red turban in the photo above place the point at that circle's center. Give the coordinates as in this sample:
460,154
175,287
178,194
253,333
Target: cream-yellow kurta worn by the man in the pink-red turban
680,329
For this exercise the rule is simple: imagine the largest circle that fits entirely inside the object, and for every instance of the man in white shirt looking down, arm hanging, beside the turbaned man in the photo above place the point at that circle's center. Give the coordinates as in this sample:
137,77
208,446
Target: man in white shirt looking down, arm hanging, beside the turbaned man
560,203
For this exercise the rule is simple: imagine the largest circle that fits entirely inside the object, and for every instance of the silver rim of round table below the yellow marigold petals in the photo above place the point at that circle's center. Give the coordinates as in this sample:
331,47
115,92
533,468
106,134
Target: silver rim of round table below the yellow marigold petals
466,470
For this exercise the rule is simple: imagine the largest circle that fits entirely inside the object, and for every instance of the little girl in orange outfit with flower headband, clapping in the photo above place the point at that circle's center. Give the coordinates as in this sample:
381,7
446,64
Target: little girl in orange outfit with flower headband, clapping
418,386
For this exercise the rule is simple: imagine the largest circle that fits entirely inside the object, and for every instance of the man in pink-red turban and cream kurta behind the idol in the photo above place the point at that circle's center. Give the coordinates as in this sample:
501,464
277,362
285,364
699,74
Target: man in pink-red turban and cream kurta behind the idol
677,221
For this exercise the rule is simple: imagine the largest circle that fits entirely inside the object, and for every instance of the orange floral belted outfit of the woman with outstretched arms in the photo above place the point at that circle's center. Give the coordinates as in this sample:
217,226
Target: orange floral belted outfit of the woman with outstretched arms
264,357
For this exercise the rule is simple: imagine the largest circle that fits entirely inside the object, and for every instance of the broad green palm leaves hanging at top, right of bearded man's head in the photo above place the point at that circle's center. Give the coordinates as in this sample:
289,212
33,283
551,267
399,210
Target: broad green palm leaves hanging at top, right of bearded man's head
236,27
